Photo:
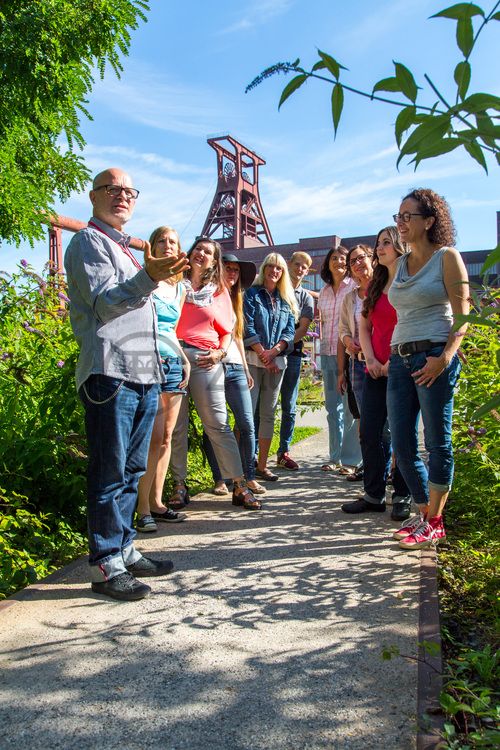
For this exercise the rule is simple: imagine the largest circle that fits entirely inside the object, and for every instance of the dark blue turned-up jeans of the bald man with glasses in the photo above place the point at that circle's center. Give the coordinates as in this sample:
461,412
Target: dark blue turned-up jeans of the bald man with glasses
119,420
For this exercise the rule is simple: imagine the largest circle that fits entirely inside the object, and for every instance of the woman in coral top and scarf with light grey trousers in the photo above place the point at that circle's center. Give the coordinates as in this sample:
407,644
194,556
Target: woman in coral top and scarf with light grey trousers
205,331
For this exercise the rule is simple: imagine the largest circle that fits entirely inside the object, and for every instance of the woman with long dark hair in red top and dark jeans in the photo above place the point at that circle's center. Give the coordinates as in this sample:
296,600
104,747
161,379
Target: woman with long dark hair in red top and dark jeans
376,326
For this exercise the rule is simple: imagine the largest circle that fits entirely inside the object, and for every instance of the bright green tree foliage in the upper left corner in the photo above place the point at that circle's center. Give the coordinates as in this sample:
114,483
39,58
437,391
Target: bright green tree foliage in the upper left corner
50,51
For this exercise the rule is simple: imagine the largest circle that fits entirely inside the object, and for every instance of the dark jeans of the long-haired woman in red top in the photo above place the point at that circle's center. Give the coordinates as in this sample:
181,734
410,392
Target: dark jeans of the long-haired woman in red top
376,443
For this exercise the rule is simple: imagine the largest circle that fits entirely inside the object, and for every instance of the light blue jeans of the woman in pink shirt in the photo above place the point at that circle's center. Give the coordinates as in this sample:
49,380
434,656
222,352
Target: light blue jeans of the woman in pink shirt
342,428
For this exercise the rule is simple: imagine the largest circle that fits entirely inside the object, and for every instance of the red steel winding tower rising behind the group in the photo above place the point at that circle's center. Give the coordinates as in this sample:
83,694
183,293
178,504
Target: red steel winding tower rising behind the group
236,218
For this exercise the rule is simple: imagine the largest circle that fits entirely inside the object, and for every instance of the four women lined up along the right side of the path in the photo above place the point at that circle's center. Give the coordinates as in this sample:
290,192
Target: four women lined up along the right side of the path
389,339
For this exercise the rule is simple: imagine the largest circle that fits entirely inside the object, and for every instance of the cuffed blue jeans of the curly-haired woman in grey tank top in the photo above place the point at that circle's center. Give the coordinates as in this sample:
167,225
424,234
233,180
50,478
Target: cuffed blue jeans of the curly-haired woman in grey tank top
405,401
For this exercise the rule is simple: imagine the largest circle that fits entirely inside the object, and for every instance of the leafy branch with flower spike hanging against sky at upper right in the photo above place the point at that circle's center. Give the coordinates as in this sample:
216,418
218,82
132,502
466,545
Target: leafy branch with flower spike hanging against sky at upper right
422,130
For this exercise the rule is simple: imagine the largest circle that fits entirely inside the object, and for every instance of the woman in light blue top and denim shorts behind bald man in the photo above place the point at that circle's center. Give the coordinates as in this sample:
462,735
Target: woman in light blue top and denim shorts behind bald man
168,299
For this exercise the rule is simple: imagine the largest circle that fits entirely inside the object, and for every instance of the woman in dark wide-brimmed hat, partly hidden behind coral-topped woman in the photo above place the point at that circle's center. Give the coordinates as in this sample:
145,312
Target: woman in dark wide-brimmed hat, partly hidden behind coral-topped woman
239,274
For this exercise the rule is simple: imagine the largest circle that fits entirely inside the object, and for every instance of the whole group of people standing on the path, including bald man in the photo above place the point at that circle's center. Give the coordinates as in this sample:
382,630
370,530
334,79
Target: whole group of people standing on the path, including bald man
207,324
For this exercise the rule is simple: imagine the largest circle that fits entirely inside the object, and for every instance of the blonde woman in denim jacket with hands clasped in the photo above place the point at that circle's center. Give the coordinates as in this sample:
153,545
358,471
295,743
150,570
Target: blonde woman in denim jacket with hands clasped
270,310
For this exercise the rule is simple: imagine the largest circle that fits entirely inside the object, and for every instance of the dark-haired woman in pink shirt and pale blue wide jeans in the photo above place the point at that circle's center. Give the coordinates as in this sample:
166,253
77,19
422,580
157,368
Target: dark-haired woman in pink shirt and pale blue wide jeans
344,447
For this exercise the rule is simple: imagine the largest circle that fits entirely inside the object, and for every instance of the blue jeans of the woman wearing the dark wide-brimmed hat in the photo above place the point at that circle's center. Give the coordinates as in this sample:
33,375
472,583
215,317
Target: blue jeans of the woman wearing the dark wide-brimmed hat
240,402
